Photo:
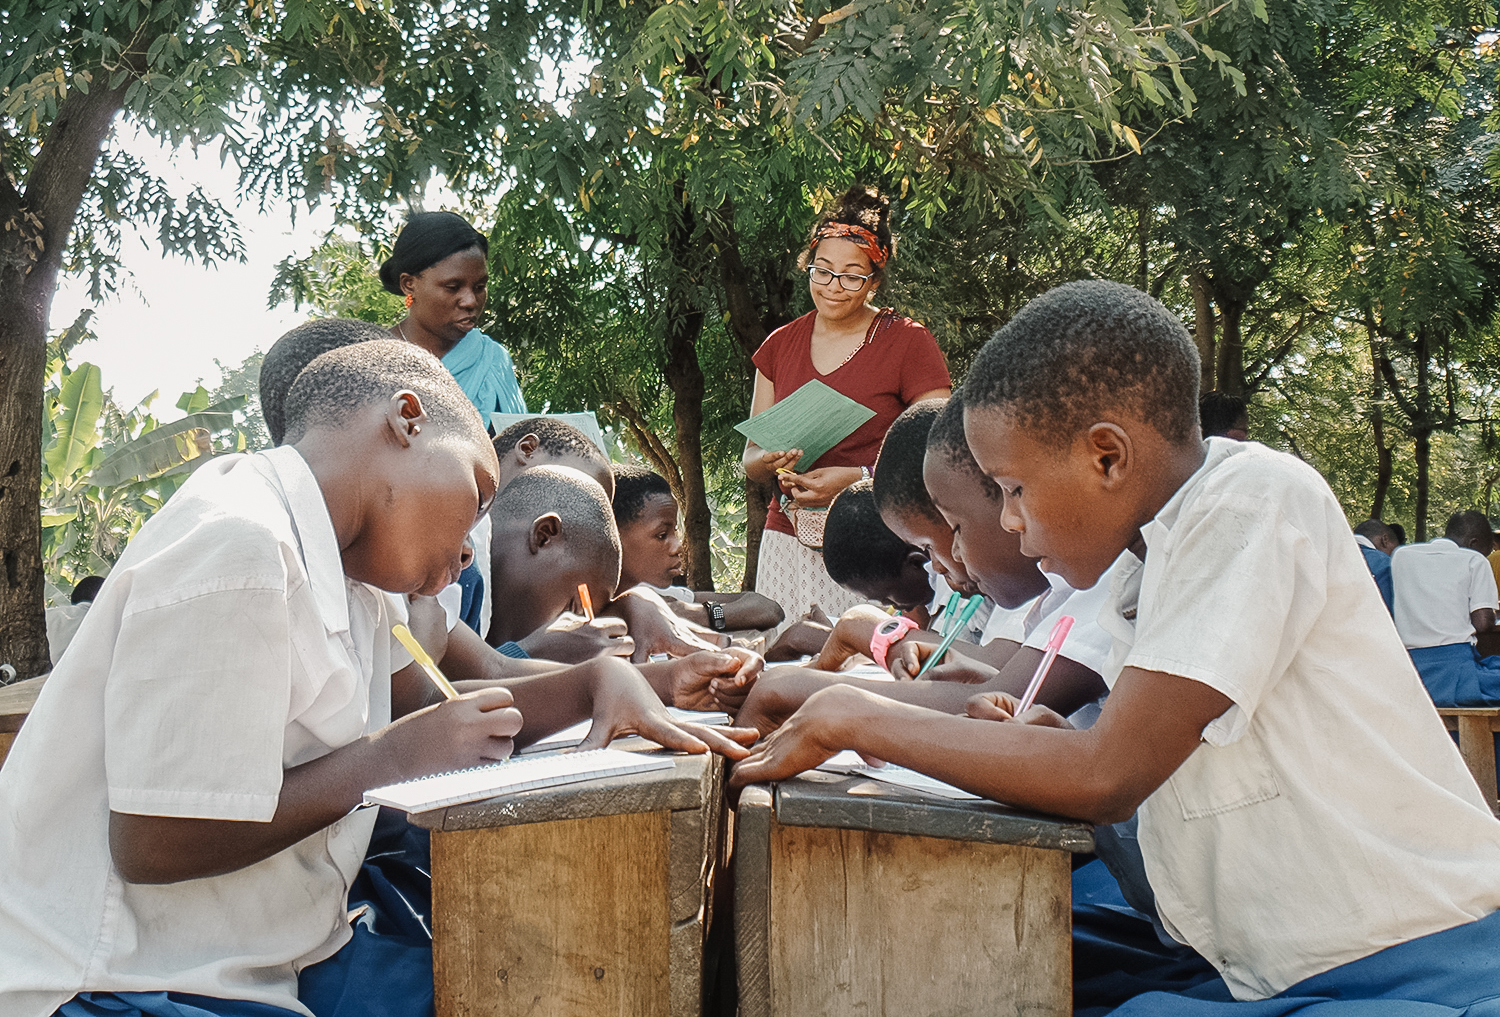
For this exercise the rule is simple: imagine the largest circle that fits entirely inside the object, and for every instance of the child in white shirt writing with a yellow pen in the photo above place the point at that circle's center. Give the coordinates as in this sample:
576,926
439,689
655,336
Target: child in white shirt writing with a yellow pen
179,824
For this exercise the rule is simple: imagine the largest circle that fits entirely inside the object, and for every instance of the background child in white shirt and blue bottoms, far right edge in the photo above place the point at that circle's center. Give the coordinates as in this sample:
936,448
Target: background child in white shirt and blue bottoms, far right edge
1445,595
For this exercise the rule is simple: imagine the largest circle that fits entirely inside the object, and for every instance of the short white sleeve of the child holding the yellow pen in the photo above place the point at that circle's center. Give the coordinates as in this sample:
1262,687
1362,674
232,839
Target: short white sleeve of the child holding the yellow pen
205,680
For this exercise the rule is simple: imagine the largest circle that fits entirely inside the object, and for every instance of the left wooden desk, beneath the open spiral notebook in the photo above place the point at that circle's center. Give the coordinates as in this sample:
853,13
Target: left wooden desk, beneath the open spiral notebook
586,899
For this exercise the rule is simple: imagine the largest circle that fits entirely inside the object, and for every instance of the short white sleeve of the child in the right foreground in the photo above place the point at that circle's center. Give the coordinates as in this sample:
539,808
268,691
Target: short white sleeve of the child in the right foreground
1247,587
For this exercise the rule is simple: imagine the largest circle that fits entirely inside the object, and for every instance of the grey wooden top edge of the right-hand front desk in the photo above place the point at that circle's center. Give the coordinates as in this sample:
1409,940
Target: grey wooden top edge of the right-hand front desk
824,800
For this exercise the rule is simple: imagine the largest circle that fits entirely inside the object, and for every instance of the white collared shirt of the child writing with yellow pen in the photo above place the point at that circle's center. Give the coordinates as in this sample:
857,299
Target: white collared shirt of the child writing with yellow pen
226,646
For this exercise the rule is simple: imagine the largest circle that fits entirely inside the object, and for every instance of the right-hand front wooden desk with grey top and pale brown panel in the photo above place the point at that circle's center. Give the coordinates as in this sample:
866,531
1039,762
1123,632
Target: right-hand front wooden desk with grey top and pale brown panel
892,902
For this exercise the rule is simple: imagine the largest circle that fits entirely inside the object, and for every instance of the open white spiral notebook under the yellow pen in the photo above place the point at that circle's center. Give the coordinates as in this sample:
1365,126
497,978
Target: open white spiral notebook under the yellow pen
512,776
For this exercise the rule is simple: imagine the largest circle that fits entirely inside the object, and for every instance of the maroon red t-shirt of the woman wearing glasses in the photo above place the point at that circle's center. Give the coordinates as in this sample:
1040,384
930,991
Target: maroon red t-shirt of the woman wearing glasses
899,362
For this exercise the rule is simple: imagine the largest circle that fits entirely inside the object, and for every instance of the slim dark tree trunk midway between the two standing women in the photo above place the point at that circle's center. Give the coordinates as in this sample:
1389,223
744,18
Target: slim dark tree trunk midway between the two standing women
685,377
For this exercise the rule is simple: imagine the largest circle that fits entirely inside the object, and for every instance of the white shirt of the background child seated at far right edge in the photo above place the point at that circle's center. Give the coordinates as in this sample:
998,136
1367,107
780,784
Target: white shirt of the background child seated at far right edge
1436,586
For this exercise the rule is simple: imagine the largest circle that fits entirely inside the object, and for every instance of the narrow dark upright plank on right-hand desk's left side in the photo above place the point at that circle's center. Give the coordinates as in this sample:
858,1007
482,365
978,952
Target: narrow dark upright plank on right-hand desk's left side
754,901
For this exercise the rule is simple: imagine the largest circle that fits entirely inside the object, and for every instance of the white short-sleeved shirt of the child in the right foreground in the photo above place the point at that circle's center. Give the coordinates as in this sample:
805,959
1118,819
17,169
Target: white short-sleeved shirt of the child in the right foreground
1327,814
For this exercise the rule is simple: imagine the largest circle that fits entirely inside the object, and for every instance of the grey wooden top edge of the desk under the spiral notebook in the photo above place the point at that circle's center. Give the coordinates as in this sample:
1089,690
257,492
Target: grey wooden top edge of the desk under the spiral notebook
689,785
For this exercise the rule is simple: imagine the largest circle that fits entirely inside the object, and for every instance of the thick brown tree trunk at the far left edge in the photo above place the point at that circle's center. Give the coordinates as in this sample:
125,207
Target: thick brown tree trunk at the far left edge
34,236
